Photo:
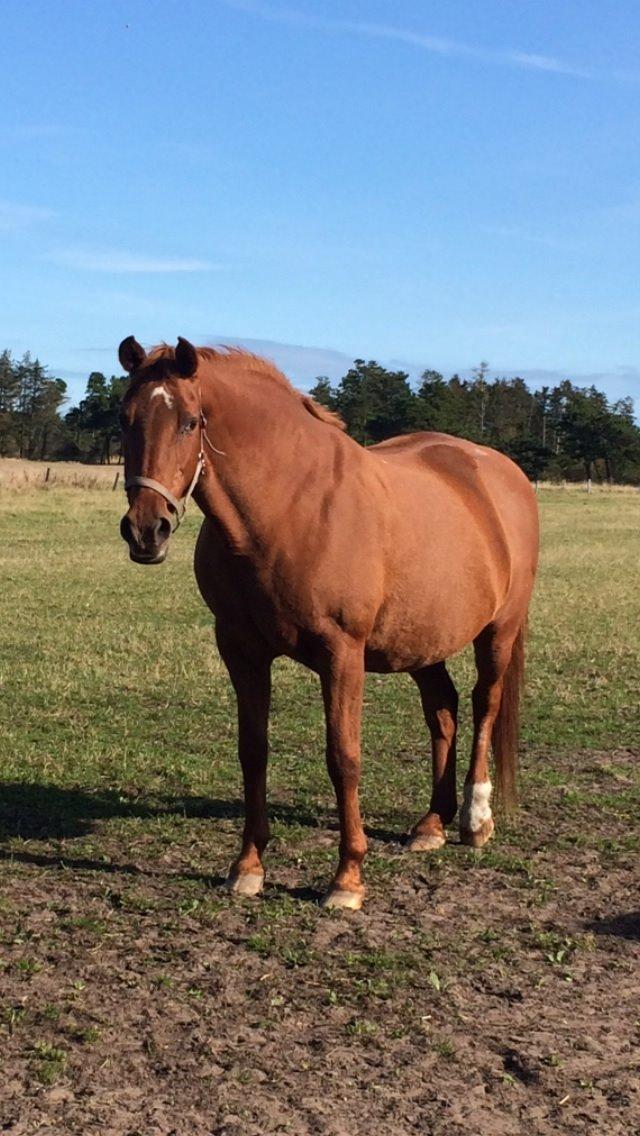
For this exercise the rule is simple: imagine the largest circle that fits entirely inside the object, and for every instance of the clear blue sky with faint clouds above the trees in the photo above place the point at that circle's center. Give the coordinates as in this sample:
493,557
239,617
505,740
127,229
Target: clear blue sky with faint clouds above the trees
431,183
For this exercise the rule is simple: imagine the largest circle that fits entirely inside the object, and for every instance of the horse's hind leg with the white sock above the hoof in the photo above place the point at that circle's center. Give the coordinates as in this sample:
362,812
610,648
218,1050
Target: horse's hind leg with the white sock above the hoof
494,648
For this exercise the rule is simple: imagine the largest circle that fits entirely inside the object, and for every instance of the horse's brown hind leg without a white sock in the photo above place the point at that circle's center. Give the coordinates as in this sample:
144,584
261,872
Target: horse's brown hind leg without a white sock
440,705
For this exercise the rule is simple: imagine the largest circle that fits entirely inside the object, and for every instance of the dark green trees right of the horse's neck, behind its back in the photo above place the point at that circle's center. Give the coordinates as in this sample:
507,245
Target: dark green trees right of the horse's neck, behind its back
556,432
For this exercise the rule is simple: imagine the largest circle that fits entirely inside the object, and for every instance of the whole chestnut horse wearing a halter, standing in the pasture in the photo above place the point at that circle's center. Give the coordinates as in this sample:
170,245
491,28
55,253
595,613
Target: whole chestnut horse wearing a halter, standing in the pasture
347,559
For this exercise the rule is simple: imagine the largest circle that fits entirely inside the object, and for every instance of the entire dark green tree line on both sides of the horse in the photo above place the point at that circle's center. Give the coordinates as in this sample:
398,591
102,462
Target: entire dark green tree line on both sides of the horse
555,432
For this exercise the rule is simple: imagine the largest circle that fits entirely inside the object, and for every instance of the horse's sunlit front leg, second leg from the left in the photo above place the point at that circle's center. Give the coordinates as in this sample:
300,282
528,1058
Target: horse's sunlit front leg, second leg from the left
343,684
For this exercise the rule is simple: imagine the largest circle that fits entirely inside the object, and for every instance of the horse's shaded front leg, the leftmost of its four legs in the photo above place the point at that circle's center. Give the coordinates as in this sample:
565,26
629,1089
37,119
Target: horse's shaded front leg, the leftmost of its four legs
252,681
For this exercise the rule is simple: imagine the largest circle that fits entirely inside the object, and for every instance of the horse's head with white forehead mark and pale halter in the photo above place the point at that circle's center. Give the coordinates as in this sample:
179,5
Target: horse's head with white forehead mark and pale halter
162,423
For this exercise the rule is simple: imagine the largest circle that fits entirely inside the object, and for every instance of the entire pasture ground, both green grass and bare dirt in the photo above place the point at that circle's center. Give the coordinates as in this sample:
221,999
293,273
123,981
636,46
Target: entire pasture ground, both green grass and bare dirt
494,991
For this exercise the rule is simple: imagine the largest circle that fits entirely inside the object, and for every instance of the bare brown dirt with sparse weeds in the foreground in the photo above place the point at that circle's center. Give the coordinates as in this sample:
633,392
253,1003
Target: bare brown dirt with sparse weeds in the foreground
477,993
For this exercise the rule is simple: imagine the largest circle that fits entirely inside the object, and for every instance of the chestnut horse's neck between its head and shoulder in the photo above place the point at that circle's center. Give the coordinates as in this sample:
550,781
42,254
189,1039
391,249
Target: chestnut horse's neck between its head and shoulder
268,446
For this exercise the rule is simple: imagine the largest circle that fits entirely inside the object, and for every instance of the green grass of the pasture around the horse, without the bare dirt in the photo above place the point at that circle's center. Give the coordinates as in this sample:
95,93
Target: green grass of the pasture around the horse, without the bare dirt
119,717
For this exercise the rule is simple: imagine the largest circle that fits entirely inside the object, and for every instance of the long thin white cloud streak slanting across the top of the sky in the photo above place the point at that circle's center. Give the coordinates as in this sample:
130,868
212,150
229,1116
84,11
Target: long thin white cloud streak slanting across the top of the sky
435,45
